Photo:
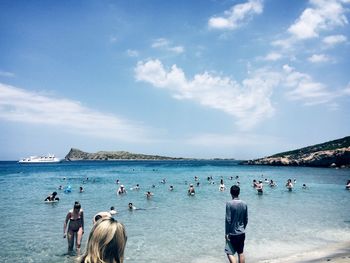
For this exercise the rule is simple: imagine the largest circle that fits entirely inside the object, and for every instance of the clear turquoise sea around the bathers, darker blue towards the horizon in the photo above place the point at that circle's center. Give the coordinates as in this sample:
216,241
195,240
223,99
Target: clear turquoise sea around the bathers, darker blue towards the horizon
172,226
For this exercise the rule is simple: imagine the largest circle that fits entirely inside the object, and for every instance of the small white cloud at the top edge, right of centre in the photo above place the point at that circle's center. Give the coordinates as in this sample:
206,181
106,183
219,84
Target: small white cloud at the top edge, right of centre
237,15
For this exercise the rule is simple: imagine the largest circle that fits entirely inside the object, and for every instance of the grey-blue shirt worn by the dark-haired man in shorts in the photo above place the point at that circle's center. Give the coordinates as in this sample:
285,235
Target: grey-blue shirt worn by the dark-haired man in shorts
236,218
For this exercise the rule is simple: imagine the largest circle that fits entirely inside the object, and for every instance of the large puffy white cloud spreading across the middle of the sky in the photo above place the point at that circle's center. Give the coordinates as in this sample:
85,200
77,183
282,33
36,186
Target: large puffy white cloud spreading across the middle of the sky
249,102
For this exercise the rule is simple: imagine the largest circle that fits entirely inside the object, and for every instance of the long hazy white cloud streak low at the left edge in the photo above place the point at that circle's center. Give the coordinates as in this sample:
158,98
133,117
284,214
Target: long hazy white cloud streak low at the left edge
19,105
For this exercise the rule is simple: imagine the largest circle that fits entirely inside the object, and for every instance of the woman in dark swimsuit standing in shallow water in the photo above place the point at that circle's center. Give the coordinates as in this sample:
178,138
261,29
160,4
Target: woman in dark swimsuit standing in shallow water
75,217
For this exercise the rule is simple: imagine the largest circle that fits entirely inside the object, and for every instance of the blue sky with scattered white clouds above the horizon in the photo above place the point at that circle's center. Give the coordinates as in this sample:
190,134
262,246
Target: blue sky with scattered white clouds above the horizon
236,79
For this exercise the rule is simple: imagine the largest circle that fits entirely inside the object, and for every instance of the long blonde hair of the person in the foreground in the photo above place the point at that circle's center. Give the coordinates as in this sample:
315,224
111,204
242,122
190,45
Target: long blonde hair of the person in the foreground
106,242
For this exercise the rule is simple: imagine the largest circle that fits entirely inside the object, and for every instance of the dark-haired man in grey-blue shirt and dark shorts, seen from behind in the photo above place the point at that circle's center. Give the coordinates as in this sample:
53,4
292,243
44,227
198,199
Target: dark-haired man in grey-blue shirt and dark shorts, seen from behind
236,221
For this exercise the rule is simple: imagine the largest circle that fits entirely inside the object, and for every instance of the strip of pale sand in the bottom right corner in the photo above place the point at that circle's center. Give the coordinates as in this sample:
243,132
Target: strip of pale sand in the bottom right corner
337,253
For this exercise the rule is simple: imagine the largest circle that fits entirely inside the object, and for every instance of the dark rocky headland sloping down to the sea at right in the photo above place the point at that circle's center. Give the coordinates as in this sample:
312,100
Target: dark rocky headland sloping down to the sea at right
329,154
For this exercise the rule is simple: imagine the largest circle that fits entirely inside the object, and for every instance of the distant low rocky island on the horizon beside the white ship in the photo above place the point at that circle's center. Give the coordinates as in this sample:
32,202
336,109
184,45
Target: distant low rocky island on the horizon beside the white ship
78,155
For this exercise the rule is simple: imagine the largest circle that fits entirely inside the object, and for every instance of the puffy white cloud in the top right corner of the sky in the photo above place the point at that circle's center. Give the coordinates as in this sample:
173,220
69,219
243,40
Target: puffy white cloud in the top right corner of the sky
323,15
